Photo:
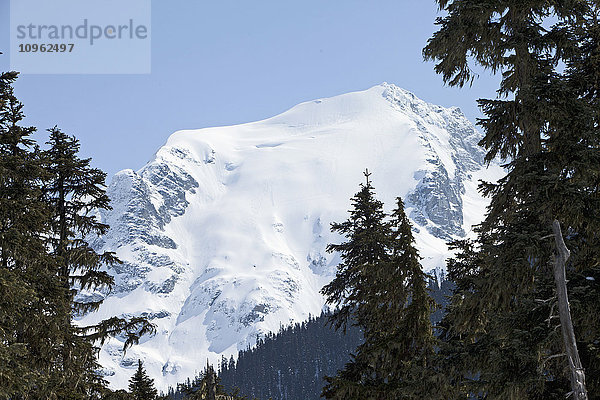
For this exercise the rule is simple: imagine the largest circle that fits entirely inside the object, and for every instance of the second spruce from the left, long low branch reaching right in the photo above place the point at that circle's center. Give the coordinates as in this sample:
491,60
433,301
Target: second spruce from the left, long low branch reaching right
74,191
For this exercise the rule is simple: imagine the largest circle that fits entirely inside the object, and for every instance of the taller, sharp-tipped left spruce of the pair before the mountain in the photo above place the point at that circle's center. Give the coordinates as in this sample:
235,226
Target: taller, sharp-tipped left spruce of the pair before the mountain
365,251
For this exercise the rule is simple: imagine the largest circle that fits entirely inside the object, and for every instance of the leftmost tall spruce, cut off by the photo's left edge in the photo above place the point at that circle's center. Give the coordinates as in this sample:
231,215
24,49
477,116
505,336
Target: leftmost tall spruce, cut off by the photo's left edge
25,315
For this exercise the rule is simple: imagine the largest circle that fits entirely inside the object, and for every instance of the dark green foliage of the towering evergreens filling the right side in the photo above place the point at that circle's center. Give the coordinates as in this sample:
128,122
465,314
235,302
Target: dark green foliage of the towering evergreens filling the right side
500,334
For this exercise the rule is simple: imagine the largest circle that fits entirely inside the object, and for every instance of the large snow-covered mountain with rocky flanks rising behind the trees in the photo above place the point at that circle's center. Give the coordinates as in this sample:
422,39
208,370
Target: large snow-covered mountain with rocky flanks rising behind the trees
223,234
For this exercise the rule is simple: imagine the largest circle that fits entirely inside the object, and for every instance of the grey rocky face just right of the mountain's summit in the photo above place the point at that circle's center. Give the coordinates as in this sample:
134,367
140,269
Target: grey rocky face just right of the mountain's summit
437,198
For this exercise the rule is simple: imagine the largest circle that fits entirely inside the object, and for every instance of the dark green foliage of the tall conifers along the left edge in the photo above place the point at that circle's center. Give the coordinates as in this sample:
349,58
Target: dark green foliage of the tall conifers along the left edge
47,209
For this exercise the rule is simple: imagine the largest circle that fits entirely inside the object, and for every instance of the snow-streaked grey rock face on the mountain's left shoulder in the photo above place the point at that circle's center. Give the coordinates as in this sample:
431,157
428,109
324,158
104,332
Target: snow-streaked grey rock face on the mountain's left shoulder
143,204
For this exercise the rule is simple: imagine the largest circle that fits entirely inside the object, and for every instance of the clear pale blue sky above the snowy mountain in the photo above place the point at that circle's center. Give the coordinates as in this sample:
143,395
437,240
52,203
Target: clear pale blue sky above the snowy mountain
227,62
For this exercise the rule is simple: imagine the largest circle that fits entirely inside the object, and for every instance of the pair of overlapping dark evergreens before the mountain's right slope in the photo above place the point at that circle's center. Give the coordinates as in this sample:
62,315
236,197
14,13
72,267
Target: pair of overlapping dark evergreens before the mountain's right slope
386,295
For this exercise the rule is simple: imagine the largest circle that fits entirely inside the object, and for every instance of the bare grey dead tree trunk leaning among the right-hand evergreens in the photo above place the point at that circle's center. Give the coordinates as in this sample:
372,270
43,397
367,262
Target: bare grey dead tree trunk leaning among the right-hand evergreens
560,260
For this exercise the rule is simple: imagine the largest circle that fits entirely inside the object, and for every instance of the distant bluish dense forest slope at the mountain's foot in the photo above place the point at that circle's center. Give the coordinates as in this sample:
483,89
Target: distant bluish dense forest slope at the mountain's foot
292,363
